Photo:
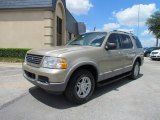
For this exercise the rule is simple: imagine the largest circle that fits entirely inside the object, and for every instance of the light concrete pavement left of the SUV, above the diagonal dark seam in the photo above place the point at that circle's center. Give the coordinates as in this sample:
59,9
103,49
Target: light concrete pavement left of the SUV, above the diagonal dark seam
12,83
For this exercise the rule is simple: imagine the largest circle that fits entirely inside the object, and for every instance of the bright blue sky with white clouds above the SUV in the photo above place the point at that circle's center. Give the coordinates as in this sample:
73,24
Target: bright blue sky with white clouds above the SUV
107,15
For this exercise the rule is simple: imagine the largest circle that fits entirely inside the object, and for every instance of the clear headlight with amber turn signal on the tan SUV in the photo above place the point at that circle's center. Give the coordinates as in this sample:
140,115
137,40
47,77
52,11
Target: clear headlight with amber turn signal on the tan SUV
54,63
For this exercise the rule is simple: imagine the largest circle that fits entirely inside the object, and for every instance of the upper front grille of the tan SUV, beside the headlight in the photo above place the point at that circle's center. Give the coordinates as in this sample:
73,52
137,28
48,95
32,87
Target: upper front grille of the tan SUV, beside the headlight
34,59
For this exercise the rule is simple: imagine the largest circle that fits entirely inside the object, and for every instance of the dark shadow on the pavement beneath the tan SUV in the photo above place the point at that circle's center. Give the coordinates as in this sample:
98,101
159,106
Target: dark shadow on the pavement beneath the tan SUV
60,102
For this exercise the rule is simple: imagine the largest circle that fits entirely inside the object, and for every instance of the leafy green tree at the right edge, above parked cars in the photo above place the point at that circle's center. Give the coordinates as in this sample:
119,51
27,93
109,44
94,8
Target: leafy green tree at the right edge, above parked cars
153,24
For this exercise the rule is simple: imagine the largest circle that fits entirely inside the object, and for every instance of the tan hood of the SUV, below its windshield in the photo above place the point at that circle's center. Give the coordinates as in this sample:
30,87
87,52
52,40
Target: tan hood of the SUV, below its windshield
55,51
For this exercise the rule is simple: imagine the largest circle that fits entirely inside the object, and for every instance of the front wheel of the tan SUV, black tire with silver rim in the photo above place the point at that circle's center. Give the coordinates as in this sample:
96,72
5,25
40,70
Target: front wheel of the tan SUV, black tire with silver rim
81,87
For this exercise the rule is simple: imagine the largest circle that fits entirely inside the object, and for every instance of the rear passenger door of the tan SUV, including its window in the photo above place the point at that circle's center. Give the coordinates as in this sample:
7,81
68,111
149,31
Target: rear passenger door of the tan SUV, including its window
128,52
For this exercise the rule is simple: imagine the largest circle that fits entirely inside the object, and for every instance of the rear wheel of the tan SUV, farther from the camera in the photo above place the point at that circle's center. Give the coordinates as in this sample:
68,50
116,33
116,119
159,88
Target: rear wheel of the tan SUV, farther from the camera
135,71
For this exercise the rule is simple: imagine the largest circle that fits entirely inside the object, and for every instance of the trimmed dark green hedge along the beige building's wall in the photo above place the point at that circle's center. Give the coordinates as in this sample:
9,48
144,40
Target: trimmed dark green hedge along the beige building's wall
13,52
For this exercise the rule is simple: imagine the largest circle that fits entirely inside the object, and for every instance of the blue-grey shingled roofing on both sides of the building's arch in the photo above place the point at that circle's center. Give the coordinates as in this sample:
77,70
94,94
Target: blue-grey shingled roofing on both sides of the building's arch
72,24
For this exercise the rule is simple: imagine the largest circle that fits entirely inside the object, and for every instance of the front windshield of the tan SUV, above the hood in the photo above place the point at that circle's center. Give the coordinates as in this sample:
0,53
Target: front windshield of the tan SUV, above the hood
89,39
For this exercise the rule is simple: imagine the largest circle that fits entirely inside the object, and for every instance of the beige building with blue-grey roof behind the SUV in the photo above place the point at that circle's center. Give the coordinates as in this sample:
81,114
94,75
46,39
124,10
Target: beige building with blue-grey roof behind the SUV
36,24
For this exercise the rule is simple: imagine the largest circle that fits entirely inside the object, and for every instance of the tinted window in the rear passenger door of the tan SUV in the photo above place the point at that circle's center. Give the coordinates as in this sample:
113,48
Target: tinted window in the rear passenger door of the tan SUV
126,42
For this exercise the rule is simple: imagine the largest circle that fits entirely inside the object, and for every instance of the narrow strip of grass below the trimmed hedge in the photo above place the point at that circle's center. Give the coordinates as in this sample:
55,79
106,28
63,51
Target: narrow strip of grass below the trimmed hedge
12,60
